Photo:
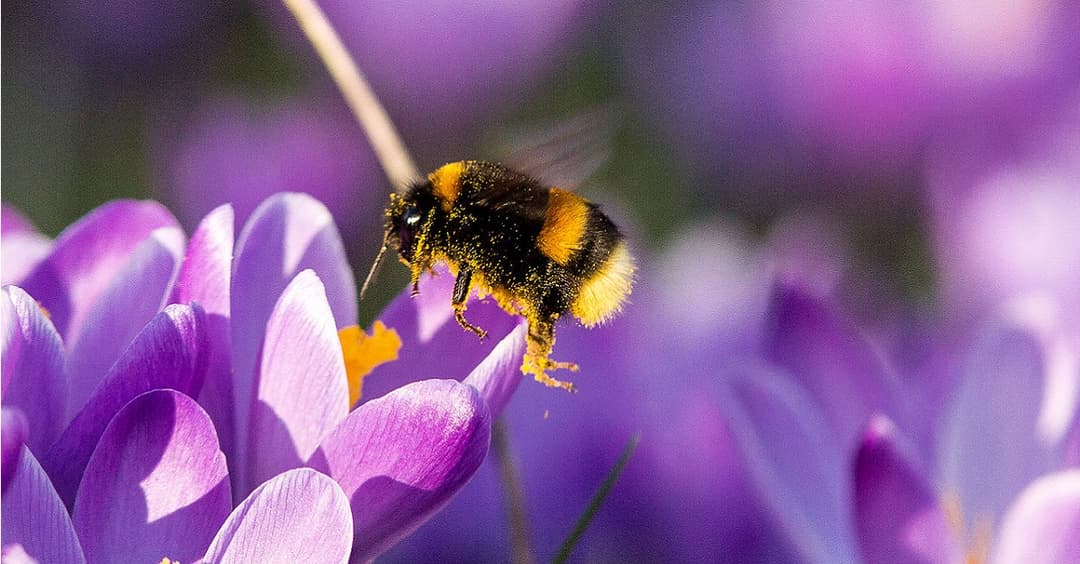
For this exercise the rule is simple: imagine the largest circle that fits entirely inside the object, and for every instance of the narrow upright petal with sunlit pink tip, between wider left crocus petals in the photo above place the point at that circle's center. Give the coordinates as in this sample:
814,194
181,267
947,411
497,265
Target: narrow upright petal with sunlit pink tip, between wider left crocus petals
205,278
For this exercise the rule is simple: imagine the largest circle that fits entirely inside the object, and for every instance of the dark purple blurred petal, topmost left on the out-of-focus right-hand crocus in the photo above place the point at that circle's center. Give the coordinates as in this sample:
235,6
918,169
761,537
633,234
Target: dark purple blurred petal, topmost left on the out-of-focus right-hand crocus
828,356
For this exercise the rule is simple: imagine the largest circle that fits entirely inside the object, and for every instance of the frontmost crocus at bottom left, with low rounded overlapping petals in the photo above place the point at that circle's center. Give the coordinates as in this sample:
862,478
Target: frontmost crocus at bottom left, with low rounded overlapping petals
157,487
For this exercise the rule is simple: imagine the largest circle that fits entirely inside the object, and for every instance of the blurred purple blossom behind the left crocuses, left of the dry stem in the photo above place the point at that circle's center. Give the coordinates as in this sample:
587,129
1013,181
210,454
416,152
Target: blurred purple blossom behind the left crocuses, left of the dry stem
240,152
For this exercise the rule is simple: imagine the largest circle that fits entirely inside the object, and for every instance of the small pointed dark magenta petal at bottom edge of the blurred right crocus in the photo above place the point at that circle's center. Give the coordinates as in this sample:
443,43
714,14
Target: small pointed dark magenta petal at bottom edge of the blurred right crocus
897,514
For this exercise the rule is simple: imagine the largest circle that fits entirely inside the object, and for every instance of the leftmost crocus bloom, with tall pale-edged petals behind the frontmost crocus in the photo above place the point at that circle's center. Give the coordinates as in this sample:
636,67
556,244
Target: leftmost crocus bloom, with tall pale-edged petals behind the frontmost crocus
72,360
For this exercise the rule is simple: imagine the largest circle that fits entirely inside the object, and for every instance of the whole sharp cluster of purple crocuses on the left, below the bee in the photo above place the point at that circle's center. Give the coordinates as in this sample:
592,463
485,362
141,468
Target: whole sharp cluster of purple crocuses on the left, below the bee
180,399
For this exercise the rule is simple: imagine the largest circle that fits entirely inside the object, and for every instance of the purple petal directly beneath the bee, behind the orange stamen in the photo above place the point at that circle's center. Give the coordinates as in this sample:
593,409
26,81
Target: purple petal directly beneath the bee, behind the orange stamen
434,345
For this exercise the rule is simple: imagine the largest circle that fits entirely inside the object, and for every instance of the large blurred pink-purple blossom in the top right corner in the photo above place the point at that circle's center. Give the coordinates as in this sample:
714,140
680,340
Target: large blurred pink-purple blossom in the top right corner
772,89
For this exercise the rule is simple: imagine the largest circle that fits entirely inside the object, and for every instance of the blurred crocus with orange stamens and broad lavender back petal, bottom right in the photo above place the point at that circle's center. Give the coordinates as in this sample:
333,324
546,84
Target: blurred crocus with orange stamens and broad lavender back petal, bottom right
998,487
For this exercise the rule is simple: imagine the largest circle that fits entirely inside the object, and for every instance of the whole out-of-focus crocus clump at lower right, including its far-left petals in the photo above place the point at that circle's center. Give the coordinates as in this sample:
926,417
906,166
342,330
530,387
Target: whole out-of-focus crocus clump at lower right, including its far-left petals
1000,417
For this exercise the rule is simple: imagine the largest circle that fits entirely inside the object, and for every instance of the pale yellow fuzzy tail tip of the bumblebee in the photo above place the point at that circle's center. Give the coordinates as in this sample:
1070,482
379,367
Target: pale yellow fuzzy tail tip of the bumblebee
603,294
